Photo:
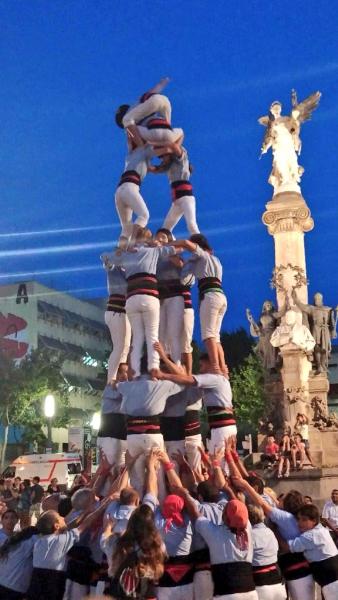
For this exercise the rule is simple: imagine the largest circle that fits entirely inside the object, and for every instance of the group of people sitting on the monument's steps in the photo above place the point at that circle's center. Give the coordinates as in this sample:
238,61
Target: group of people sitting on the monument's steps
292,451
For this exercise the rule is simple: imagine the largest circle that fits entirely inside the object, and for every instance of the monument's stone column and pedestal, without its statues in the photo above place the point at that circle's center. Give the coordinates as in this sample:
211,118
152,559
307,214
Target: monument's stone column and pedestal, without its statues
287,218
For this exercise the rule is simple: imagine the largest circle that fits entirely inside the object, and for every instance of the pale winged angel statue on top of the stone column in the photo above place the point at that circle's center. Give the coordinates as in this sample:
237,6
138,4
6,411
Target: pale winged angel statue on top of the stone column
282,135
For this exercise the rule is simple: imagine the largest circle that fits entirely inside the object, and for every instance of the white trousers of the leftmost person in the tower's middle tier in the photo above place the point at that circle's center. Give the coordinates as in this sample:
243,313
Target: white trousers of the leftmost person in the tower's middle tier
120,333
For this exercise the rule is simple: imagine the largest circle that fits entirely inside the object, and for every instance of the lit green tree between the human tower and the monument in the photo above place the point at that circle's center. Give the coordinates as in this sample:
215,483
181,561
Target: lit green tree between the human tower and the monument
248,390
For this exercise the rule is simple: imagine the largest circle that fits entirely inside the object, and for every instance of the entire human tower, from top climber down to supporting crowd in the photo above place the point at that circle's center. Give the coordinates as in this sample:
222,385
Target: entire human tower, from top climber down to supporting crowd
172,519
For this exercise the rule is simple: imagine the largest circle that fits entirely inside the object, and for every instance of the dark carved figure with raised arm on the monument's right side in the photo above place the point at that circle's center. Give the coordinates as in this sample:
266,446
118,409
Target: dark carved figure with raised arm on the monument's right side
322,325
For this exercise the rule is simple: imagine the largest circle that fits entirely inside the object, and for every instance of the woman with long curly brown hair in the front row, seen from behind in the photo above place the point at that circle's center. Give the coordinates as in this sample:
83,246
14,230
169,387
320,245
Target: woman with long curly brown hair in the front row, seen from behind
138,558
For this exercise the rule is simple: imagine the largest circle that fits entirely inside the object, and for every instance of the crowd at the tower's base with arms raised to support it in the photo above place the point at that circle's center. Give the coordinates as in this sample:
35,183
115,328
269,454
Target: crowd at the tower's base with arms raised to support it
210,536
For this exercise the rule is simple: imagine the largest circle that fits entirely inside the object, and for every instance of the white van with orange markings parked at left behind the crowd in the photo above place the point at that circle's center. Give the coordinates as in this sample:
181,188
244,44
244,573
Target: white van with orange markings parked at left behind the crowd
63,466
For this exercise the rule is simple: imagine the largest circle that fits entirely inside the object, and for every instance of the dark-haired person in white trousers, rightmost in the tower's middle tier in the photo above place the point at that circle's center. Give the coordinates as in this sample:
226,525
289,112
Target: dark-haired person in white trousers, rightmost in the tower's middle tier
207,269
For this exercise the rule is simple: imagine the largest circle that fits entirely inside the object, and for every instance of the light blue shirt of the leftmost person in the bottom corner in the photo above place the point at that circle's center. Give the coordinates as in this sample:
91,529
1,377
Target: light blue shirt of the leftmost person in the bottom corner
16,564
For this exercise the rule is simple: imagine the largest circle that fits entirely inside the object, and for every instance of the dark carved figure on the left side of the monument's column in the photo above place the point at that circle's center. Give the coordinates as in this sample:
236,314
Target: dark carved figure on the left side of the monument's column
263,330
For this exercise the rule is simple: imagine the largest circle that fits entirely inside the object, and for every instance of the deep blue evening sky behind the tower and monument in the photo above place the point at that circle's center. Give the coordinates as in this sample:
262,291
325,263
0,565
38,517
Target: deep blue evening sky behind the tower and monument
66,65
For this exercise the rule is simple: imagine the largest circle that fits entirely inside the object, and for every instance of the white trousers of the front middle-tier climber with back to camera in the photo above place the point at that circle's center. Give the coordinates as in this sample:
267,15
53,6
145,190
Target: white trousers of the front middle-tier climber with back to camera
144,316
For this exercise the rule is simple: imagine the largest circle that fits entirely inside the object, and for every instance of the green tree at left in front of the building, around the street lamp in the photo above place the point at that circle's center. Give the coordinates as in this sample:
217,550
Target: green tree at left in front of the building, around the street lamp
24,385
